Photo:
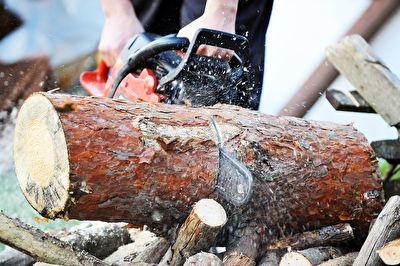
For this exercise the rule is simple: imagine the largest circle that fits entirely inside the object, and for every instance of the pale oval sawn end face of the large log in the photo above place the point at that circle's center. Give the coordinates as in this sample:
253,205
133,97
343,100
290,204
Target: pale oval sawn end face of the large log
41,156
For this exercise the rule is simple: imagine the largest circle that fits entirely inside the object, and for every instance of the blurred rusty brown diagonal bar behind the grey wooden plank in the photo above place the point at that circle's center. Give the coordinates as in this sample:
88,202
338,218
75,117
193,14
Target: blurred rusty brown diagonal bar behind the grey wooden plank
368,24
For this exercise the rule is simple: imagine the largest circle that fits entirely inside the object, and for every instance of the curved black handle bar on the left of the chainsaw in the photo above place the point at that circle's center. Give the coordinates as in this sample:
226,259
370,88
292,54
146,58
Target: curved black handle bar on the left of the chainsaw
138,59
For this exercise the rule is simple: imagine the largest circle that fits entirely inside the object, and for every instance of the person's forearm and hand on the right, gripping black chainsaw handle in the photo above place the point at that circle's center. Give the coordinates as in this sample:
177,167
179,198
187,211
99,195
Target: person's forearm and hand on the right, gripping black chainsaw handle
218,15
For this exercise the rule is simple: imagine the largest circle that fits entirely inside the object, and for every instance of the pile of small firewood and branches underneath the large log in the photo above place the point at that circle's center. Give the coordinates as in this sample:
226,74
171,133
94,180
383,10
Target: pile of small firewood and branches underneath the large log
102,243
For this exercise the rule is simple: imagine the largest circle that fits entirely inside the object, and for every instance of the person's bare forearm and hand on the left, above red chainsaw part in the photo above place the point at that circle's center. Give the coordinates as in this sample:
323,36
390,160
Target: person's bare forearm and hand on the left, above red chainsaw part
120,25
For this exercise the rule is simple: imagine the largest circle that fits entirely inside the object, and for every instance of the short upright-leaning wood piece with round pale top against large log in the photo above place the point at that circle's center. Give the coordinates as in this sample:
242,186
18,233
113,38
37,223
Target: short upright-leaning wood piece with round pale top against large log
199,231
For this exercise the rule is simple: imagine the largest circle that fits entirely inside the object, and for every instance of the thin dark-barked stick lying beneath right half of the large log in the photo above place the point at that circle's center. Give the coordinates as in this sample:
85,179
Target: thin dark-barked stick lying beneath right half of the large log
328,235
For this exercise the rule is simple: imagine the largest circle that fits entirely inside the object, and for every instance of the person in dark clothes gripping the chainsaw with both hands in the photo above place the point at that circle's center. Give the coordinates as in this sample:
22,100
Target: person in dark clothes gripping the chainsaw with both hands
250,18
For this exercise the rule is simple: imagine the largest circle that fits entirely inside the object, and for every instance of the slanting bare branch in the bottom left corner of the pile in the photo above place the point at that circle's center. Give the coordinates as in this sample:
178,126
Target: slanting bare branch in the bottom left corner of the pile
40,246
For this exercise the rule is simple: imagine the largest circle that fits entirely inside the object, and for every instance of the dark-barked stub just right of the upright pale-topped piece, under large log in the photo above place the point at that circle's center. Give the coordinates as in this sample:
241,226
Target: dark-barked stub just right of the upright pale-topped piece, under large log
243,245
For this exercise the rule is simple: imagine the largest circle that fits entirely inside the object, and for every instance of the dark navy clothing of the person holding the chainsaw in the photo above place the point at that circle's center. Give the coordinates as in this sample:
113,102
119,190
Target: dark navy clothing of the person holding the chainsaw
169,16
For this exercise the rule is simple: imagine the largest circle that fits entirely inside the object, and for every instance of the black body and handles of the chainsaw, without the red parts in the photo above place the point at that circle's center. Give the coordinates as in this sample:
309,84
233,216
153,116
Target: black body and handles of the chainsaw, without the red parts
196,80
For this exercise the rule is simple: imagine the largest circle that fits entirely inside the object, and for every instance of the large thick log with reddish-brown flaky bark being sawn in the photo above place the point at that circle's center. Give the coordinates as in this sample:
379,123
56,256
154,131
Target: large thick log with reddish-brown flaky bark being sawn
90,158
